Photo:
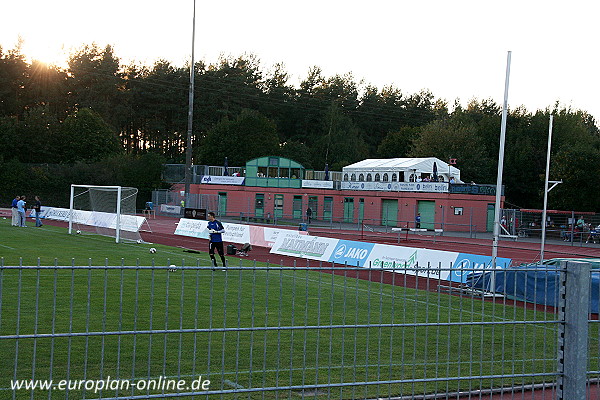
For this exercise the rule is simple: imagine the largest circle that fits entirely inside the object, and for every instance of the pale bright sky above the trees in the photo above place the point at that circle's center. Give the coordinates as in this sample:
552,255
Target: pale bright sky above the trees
455,49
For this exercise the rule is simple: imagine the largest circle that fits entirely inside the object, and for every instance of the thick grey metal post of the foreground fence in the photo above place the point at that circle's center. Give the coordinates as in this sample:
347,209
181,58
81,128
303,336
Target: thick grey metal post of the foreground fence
573,302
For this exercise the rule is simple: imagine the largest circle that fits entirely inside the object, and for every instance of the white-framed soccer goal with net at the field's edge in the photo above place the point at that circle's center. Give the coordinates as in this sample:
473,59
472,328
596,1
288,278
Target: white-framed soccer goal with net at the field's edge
105,210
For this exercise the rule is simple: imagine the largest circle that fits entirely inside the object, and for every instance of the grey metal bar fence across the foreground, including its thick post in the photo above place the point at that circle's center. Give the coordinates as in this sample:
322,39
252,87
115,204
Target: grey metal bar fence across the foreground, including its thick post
315,331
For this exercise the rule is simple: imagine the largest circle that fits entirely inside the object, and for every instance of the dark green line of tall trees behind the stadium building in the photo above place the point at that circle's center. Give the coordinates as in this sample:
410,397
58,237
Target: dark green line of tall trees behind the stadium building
97,110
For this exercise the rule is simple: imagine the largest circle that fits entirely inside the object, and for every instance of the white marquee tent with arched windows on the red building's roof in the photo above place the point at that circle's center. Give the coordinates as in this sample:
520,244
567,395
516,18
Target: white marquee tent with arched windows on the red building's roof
400,169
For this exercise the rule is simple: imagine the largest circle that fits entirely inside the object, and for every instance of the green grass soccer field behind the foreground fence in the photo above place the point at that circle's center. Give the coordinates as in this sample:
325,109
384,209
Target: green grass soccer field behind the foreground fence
251,326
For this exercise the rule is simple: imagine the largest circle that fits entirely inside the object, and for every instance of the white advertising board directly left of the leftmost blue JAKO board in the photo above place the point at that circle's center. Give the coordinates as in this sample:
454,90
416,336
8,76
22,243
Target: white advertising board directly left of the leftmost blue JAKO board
303,246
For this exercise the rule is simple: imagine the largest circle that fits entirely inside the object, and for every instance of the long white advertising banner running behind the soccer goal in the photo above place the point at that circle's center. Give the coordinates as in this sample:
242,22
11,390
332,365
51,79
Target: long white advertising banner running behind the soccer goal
131,223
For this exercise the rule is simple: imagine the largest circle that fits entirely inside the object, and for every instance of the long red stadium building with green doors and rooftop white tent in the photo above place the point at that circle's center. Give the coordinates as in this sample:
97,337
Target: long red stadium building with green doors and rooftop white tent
387,192
